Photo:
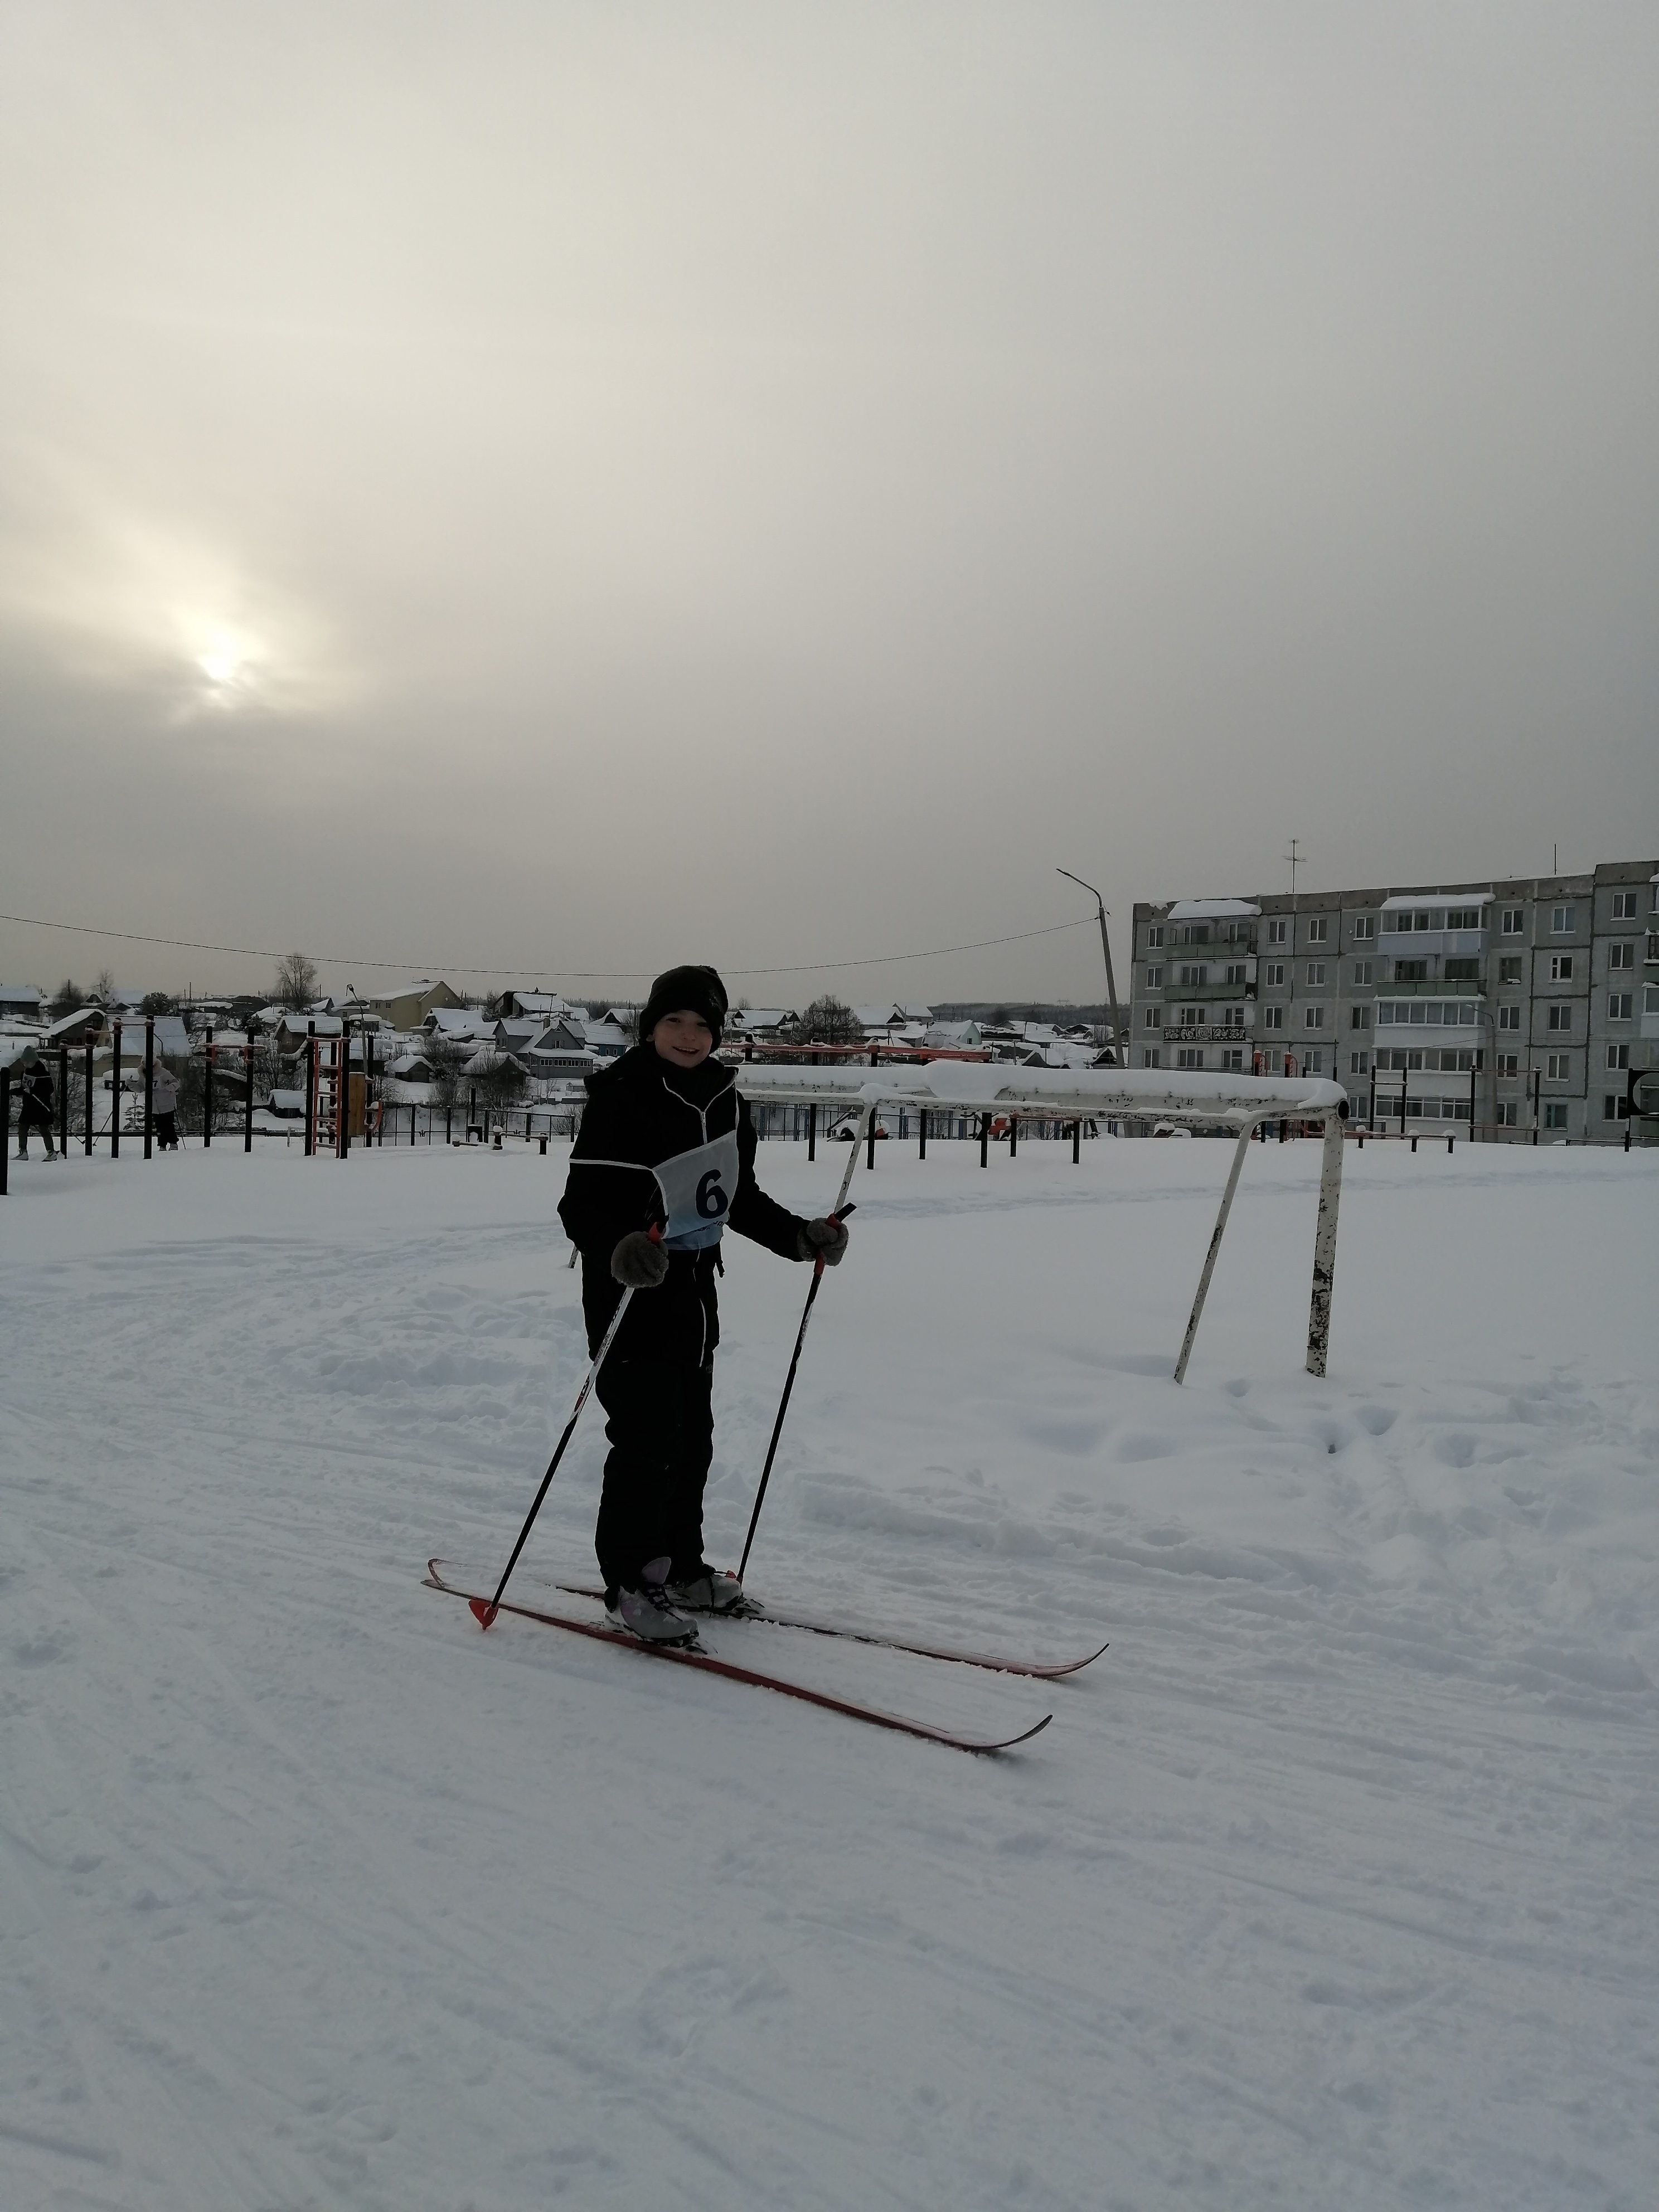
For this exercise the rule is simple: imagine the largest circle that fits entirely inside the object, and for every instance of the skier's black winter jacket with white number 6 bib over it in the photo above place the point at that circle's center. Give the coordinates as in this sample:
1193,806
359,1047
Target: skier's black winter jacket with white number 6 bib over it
674,1147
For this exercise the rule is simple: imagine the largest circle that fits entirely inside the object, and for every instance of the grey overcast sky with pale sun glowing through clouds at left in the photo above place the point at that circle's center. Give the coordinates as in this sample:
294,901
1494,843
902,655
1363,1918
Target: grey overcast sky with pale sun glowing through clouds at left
567,490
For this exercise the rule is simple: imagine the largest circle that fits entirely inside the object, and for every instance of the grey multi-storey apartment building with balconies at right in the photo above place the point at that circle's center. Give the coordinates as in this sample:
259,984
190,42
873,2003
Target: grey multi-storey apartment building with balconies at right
1527,1001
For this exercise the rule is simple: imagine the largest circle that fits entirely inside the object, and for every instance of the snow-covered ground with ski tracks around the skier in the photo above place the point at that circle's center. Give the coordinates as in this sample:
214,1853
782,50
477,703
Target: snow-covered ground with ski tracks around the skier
1335,1884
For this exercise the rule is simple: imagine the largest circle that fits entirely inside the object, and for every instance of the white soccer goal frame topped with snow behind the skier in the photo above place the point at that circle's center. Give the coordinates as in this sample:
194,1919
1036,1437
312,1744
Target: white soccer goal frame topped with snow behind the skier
1240,1103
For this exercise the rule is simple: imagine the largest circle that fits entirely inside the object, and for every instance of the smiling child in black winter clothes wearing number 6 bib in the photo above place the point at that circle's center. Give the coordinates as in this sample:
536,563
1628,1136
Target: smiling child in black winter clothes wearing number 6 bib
667,1142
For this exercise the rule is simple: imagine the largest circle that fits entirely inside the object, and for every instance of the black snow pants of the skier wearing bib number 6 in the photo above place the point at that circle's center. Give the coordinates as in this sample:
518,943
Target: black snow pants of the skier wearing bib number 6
662,1441
